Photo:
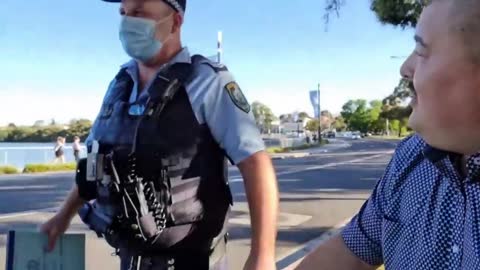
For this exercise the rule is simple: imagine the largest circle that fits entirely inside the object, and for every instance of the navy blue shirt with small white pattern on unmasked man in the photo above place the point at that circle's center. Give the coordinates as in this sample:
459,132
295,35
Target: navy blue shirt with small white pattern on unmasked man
423,213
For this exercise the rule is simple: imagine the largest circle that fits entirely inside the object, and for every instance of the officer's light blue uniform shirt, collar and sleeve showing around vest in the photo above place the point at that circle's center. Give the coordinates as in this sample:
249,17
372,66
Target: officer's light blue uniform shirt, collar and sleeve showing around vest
217,101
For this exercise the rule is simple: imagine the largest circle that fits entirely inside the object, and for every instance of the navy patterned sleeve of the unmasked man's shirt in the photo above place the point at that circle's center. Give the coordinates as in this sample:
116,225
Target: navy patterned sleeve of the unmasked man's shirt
363,235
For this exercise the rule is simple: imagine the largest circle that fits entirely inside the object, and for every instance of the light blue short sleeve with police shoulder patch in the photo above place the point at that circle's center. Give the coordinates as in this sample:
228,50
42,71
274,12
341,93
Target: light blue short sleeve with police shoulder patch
229,117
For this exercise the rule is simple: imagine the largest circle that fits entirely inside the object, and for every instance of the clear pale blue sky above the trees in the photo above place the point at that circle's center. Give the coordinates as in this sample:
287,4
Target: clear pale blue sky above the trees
58,56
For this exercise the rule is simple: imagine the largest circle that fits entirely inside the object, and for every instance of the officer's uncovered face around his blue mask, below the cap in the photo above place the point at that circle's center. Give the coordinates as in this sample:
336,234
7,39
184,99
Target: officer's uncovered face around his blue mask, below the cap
155,10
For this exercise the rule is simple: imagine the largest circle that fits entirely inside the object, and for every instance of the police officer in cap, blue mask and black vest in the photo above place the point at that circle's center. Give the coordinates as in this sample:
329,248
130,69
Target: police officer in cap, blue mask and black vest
155,182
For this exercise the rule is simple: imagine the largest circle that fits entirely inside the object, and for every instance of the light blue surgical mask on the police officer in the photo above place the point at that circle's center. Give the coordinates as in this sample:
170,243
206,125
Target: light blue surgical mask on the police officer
138,37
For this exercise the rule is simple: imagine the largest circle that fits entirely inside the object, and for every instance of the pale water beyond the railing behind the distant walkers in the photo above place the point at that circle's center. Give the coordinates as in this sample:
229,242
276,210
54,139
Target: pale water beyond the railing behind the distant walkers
19,154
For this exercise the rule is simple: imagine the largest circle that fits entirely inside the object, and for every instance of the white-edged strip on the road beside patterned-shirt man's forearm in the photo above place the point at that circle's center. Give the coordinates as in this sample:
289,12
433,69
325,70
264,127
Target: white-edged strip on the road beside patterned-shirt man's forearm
292,260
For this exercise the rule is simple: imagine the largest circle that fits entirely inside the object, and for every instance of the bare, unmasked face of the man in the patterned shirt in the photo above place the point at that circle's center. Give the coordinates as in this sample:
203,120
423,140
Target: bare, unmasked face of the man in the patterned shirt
446,106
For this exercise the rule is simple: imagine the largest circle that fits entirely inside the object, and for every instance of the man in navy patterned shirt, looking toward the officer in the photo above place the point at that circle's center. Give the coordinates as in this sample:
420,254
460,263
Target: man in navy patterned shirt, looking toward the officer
424,212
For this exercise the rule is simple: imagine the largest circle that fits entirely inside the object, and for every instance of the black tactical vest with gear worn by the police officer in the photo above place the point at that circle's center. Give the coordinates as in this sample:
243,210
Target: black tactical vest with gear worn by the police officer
173,154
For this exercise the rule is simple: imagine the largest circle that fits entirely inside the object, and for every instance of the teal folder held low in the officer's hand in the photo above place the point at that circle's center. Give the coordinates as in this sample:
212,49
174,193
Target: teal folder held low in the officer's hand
26,251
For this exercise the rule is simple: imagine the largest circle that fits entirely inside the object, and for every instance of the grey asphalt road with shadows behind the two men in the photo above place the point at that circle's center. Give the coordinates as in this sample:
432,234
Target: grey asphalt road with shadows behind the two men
317,193
